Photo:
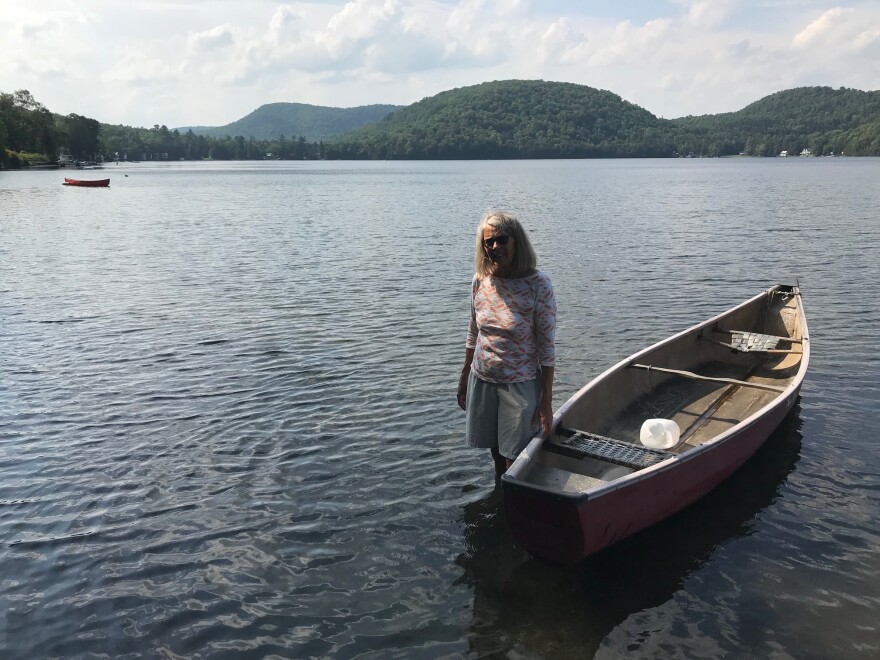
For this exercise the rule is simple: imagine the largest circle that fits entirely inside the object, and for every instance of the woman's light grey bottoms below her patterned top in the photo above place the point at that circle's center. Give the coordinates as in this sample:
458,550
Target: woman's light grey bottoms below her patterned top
500,414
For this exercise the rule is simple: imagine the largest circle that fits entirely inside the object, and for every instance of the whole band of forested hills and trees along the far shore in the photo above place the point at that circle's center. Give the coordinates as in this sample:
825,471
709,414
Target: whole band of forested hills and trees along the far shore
507,119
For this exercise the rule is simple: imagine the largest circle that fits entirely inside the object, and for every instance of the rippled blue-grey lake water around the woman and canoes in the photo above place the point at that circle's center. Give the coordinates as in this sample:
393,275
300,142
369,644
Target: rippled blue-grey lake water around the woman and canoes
228,422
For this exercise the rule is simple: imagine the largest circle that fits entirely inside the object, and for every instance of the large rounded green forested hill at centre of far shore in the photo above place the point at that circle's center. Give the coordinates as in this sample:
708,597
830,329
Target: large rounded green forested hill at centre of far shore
512,119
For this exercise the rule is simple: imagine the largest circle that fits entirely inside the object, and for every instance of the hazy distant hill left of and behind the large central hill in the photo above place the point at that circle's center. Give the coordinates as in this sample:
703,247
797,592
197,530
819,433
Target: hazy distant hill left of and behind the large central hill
314,123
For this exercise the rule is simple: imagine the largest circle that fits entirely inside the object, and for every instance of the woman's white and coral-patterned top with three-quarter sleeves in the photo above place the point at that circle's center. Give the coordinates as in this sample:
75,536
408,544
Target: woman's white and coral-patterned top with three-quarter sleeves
512,328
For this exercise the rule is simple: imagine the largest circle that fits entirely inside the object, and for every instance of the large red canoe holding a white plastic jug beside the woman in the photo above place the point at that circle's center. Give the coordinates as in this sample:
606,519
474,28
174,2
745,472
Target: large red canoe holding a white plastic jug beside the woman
725,384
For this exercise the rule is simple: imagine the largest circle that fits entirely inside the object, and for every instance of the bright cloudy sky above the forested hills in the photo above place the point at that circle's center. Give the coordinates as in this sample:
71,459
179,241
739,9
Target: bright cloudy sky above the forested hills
211,62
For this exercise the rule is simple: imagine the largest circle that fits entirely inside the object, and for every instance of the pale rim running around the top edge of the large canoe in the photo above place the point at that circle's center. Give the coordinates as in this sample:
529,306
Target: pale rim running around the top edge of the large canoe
785,398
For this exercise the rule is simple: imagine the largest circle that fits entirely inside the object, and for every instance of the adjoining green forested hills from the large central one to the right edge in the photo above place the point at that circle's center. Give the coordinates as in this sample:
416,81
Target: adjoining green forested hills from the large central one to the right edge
535,119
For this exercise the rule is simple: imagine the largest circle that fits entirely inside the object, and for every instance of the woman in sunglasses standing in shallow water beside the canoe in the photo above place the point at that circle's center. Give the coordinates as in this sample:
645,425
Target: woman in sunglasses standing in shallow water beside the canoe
506,385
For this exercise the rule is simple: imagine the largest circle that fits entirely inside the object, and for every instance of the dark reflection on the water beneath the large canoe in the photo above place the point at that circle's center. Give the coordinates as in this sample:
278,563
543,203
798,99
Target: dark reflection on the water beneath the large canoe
526,606
